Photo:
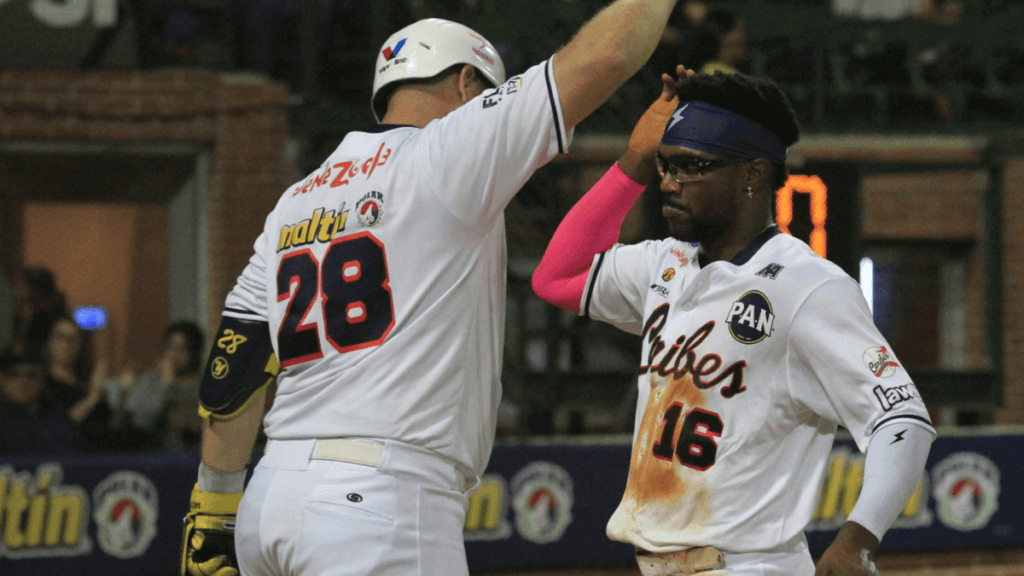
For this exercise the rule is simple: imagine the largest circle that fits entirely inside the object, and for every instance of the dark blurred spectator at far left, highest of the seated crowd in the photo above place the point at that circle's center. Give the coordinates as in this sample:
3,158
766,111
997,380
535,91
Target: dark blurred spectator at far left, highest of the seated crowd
37,302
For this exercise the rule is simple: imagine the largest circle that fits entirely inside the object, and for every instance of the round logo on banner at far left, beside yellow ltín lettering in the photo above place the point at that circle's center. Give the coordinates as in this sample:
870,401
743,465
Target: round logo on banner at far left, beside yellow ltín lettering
126,505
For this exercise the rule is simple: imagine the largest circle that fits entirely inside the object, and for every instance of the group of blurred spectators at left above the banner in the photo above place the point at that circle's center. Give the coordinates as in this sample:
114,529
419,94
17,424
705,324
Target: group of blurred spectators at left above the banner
56,397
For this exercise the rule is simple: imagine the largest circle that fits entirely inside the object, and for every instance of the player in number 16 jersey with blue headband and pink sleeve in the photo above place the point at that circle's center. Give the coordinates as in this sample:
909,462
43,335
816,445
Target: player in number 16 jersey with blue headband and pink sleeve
755,349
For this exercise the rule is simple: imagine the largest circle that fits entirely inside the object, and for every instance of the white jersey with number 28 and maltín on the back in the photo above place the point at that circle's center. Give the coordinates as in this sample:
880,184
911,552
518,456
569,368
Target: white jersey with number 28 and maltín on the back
382,276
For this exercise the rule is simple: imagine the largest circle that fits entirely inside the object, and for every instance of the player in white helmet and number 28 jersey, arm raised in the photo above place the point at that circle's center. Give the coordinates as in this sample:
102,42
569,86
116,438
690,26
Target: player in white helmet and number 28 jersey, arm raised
378,285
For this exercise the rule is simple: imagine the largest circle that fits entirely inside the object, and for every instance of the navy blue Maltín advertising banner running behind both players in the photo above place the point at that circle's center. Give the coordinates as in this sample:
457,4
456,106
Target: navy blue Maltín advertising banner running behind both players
541,505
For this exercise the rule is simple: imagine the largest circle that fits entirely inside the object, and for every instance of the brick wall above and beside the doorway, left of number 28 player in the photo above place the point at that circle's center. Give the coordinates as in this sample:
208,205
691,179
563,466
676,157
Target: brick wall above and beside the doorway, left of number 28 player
242,118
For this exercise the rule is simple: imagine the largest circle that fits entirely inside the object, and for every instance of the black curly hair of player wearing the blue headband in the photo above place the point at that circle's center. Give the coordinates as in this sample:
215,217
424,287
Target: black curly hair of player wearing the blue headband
756,99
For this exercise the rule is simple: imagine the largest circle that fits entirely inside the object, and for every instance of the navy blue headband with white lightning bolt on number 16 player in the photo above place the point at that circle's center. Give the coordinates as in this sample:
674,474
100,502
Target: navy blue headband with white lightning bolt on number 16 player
716,131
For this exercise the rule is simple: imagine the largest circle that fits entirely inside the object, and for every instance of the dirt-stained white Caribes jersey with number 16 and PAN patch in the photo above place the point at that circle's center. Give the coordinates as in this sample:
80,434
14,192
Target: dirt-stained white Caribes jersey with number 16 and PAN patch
748,367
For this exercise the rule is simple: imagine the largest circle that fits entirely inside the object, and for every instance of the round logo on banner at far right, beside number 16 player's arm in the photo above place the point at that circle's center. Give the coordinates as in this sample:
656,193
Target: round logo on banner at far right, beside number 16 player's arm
966,490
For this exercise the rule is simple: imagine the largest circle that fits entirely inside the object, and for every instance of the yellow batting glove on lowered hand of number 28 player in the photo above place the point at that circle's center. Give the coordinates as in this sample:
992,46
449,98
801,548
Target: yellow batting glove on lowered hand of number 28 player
208,547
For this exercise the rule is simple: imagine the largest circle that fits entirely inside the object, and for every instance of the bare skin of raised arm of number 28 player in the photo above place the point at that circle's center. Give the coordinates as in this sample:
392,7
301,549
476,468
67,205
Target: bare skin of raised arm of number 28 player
607,53
